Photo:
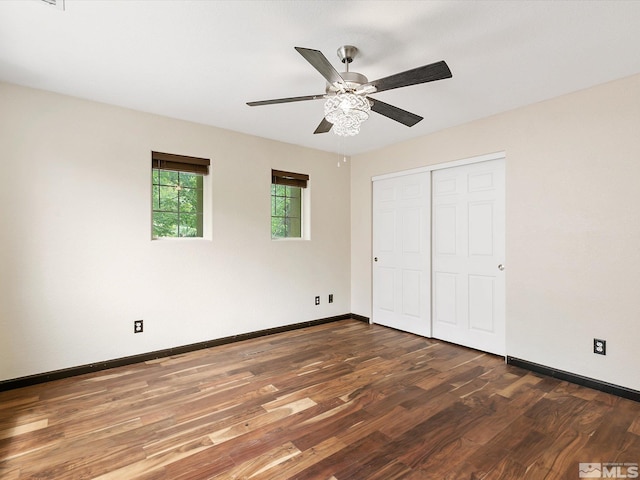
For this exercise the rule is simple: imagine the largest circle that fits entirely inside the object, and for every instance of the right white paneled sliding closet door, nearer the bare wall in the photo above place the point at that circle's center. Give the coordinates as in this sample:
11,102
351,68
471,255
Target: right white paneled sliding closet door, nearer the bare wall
468,222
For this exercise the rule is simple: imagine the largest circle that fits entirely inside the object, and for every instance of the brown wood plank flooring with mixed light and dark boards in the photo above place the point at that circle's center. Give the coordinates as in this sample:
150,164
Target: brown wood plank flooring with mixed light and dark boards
345,400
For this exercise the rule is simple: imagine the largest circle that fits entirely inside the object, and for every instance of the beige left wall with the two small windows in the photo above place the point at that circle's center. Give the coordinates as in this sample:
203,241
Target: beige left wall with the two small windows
77,263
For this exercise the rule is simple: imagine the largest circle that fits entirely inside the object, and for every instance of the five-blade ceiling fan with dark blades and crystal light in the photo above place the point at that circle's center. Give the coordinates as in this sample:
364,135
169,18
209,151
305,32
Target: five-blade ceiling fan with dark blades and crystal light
347,100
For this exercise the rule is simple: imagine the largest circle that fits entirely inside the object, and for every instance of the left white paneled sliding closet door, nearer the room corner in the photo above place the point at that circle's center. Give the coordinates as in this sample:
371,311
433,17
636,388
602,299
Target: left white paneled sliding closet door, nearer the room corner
402,252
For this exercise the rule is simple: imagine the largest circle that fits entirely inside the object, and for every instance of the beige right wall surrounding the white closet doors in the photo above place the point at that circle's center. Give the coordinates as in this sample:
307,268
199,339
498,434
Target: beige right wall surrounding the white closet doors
572,227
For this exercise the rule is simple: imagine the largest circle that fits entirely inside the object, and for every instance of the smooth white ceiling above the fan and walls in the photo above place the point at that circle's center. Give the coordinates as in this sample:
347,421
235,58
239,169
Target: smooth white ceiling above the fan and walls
203,60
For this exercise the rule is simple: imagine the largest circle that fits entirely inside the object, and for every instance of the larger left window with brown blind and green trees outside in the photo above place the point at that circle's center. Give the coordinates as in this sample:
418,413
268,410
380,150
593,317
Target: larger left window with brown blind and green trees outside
178,195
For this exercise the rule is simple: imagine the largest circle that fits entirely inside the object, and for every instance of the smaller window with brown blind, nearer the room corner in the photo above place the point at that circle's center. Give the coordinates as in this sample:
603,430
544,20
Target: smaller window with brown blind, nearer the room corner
287,204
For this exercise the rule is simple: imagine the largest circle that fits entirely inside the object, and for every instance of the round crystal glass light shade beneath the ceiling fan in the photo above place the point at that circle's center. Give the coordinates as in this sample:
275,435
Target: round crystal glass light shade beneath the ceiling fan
346,111
